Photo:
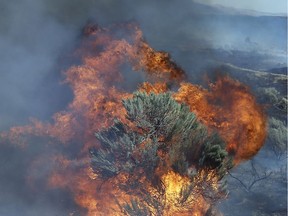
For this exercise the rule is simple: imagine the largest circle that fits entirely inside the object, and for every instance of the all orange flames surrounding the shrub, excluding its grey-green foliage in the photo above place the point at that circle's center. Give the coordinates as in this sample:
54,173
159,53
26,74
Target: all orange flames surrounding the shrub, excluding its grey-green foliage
227,107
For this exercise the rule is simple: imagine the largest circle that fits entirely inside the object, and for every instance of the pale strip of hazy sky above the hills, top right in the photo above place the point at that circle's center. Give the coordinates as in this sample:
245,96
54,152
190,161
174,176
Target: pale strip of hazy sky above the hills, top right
267,6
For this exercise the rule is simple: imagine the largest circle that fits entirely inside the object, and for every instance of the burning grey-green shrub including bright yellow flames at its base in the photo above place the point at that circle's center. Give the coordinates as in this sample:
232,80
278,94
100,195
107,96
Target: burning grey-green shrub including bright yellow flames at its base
163,138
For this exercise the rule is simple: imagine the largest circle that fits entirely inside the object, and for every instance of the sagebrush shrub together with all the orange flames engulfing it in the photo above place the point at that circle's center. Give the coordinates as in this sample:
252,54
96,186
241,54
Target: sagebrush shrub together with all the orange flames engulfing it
156,157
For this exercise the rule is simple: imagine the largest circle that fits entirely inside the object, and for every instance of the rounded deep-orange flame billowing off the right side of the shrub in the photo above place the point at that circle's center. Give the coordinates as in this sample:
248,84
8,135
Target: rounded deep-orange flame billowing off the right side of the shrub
229,108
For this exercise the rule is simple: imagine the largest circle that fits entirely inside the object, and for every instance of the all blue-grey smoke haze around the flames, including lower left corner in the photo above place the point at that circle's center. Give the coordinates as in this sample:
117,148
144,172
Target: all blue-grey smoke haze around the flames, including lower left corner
37,38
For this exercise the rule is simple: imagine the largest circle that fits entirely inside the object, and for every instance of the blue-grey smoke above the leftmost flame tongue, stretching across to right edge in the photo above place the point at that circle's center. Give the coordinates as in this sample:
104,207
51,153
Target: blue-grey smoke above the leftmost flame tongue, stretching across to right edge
34,34
